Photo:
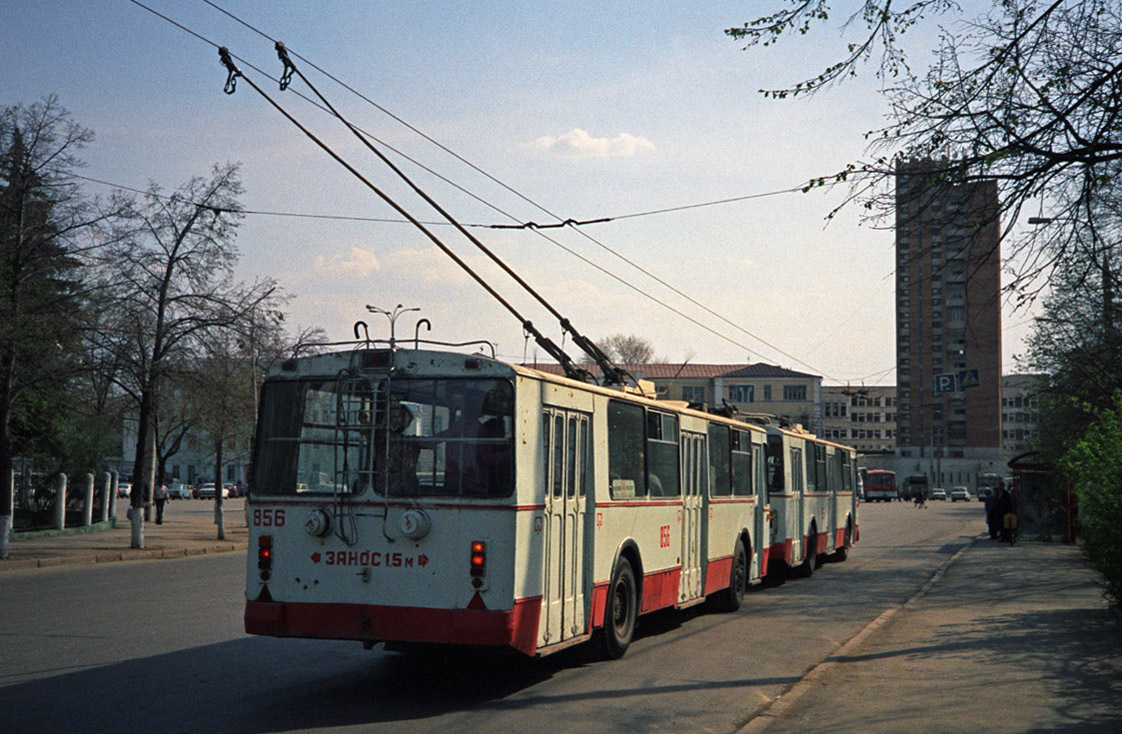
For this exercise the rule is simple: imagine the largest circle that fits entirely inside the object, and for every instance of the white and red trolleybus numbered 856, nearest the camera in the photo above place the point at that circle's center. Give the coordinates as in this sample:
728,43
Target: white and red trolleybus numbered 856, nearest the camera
422,497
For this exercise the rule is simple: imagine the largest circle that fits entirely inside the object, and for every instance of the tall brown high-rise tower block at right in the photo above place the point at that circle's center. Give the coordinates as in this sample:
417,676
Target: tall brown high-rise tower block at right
949,315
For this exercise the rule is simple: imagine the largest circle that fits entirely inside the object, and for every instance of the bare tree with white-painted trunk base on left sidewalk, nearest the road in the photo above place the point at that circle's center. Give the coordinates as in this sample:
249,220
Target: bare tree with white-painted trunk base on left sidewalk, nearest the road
176,262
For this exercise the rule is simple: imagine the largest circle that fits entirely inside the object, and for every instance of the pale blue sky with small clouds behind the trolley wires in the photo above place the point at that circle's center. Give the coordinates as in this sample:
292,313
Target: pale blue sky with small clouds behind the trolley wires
583,112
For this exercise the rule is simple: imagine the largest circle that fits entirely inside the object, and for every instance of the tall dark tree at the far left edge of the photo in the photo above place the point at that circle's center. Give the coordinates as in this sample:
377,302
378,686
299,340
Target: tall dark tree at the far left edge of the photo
45,226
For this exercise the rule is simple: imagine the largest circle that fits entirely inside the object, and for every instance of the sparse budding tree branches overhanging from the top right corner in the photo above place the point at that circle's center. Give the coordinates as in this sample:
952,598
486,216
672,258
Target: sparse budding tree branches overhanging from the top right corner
1027,96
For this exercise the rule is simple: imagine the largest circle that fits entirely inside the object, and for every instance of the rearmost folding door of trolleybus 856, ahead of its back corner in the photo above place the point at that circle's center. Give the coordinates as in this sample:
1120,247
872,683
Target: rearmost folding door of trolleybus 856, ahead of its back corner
566,443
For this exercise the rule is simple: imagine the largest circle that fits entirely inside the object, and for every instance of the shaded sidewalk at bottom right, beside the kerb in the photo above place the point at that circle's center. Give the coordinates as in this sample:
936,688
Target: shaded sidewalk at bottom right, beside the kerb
1000,640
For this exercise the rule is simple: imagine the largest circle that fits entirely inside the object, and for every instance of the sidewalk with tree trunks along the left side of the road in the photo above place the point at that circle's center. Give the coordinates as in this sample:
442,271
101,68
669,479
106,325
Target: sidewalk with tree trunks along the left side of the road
189,529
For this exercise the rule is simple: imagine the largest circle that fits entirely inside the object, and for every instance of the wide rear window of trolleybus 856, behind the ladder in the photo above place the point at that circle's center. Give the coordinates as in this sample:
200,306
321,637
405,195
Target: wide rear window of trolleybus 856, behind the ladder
433,437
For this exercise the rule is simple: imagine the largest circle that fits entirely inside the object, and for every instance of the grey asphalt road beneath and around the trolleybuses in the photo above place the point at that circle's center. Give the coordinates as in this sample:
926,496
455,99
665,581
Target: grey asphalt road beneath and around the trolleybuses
159,647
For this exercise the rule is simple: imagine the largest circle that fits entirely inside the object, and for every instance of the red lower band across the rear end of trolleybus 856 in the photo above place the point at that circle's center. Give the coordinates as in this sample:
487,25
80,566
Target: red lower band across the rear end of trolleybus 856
516,628
